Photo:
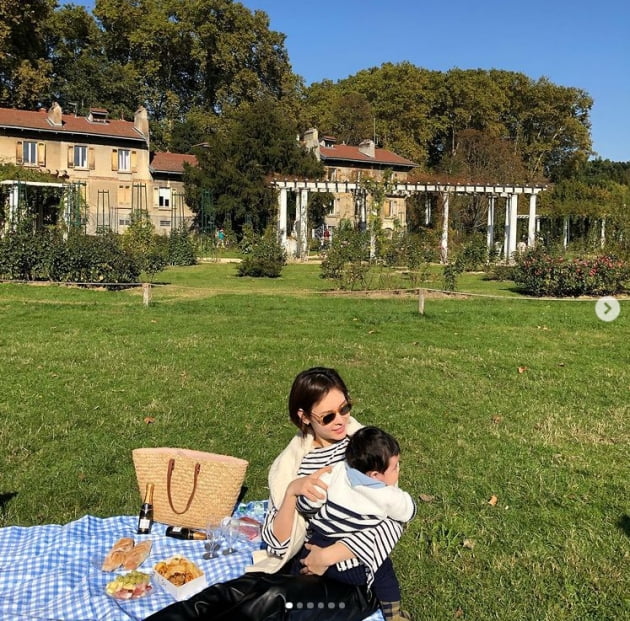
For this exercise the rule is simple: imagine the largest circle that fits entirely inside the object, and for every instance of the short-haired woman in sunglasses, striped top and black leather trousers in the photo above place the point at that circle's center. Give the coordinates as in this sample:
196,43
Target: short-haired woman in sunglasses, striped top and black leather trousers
319,405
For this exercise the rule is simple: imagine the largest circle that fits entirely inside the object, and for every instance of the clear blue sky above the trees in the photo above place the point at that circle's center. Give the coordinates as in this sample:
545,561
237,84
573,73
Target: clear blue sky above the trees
576,43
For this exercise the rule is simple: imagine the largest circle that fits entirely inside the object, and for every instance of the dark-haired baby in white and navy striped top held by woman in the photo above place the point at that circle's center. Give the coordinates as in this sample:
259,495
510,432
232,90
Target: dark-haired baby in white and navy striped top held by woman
362,493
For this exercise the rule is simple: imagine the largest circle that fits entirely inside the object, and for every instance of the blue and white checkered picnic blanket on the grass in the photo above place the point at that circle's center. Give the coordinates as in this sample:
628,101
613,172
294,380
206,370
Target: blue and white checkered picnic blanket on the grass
52,572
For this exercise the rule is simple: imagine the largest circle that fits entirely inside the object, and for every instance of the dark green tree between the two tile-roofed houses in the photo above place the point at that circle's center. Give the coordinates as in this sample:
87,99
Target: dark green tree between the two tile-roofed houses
252,144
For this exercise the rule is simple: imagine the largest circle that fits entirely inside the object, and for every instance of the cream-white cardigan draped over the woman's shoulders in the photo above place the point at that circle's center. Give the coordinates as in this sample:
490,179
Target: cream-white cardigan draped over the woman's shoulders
284,470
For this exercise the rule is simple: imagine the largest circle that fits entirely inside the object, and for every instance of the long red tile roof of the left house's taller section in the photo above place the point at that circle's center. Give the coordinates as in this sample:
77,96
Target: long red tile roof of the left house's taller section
71,124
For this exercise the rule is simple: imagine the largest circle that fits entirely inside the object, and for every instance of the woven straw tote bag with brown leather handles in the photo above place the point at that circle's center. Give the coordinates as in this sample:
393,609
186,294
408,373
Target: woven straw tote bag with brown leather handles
190,487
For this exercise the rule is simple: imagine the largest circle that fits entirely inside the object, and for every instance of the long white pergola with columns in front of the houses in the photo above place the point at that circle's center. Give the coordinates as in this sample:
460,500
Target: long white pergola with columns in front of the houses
510,193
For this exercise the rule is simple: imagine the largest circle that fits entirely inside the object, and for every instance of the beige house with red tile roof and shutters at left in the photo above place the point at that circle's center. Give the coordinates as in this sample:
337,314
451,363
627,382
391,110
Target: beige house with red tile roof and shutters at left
108,161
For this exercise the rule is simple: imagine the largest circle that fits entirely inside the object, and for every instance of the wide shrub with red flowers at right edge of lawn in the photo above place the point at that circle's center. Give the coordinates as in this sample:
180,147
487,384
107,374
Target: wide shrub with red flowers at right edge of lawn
540,273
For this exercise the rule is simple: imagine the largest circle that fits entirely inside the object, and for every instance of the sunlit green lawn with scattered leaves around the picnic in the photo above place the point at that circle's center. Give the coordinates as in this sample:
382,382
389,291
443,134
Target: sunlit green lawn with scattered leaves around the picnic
522,400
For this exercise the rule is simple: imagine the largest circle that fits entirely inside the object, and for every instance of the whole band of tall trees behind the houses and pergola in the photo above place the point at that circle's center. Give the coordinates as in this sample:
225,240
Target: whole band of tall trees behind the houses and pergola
218,81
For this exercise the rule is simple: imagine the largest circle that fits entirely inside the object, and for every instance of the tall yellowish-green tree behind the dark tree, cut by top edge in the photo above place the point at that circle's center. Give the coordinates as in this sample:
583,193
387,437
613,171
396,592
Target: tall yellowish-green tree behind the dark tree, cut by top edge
212,55
